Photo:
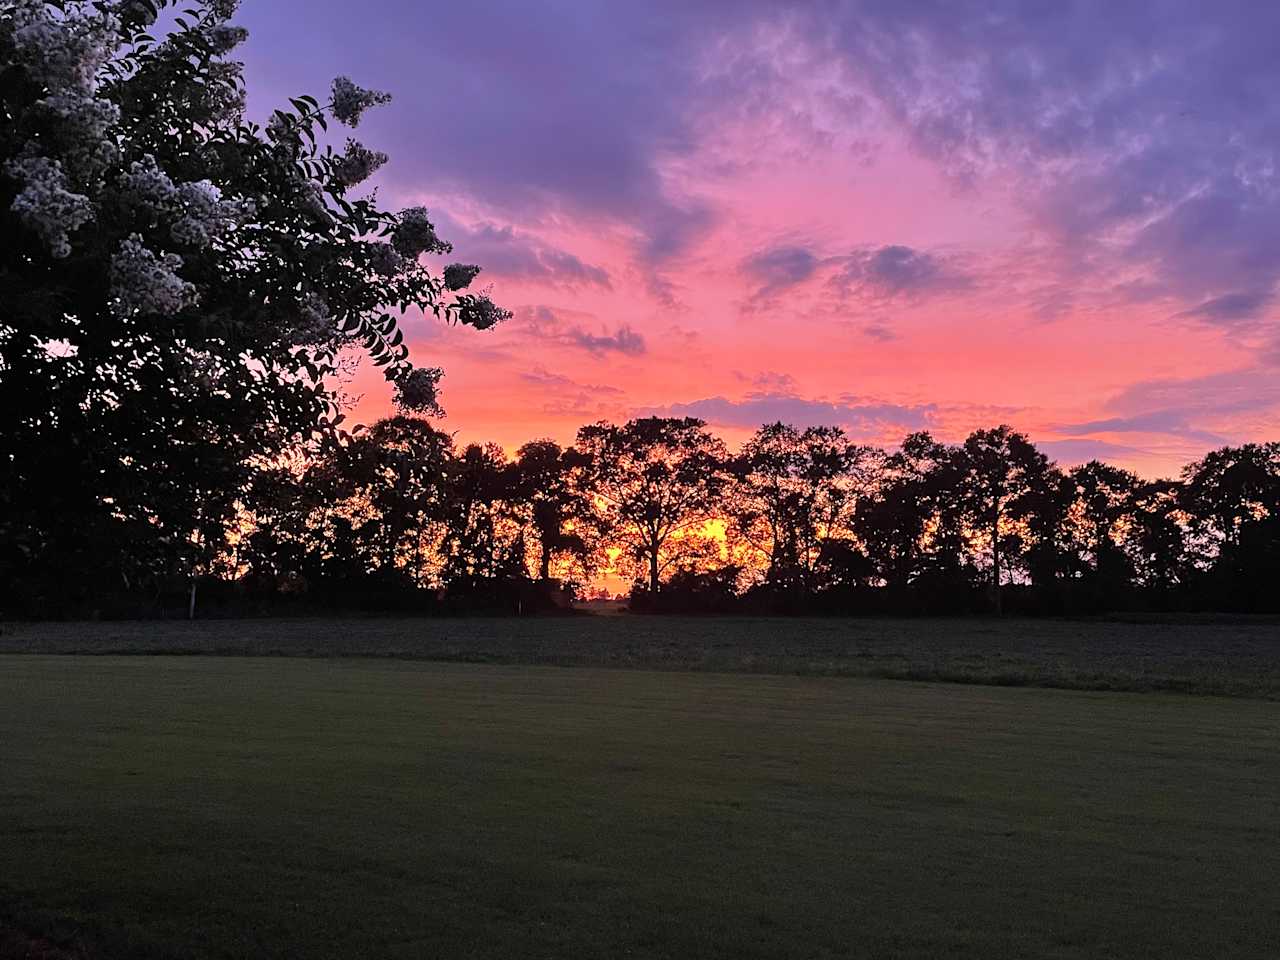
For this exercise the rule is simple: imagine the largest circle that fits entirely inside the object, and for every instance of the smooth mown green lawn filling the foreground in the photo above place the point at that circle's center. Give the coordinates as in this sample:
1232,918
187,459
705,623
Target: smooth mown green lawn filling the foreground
359,808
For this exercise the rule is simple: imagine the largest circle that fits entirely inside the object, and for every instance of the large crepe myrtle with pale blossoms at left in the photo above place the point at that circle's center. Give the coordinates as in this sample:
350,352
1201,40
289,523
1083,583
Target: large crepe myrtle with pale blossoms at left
179,286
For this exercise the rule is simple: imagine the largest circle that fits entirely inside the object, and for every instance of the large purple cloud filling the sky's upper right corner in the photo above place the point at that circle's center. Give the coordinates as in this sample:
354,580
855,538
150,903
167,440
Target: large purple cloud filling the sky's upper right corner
1144,136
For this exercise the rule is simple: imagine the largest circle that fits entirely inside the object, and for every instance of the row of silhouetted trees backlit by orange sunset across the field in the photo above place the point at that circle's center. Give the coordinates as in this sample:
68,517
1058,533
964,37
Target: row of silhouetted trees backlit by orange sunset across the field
799,520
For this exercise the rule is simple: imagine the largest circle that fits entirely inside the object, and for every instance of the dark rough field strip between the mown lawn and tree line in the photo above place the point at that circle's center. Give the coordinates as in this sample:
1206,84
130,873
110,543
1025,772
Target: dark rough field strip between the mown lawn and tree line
1228,659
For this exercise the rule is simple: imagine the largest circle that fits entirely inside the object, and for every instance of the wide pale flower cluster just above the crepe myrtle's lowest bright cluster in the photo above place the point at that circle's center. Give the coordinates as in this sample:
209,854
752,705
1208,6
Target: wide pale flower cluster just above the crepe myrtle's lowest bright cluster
198,211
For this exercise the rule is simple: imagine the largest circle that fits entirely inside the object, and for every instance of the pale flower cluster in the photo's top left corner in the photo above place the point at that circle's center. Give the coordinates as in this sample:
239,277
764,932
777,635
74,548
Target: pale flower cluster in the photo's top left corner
67,52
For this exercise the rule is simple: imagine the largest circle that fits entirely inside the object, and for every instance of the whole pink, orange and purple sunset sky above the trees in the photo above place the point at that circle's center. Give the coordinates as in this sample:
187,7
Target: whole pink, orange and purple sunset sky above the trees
888,216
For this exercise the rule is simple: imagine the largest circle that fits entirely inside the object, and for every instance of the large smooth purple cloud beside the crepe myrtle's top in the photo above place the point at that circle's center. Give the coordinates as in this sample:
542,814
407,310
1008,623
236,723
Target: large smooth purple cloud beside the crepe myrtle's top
528,108
